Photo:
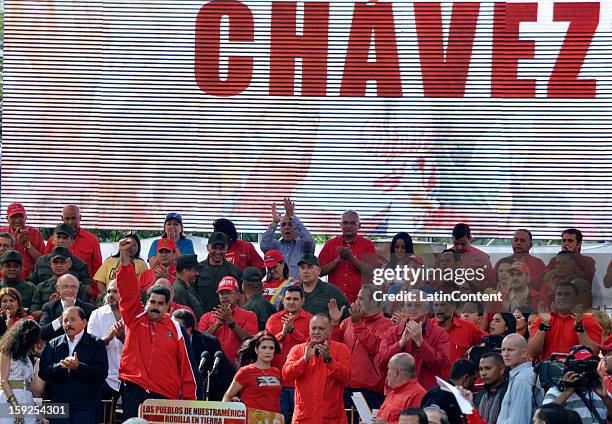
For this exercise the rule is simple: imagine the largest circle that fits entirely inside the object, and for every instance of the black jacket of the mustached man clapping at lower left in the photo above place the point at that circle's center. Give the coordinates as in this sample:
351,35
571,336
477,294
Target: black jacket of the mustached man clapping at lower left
81,387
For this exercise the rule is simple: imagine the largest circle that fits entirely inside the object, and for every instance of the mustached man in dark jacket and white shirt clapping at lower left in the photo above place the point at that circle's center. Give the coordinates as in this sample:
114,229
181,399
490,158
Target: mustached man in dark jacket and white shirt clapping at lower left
74,366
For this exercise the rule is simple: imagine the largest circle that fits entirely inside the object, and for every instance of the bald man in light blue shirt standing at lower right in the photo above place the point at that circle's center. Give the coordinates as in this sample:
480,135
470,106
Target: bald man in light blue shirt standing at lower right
517,404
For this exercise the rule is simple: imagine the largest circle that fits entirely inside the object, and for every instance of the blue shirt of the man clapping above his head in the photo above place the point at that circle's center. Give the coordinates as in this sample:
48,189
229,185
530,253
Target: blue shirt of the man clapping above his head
293,250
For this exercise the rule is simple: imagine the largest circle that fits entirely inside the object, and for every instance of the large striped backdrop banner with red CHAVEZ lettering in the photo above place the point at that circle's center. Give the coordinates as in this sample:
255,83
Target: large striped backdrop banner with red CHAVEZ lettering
417,114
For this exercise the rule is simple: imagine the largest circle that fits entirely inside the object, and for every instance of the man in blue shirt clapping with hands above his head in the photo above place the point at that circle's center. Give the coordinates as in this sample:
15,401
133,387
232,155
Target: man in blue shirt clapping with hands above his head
295,239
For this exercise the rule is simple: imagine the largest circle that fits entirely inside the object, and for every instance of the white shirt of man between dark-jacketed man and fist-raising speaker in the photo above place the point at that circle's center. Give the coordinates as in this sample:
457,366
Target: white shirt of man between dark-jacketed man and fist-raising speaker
100,322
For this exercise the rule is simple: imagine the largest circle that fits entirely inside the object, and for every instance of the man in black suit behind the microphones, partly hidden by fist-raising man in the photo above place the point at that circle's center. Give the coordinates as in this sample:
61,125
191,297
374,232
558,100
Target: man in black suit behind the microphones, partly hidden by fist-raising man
201,342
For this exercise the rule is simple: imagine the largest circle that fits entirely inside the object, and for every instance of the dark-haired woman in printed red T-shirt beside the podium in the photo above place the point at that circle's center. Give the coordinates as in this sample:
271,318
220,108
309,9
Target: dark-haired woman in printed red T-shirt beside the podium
258,383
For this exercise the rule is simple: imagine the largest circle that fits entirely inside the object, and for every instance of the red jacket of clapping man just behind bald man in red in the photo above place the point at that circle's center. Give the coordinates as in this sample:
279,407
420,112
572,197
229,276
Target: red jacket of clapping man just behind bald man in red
430,358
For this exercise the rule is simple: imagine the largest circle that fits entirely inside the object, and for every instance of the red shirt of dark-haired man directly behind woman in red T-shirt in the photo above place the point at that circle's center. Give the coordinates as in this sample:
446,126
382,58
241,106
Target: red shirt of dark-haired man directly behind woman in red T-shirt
301,323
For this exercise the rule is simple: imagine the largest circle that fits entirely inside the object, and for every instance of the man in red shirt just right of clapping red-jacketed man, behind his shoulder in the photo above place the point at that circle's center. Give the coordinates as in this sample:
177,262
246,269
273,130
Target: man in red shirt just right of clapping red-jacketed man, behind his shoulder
463,334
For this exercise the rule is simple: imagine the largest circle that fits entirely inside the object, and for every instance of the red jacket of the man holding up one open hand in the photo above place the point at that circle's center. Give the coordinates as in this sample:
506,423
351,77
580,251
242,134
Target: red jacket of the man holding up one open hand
364,338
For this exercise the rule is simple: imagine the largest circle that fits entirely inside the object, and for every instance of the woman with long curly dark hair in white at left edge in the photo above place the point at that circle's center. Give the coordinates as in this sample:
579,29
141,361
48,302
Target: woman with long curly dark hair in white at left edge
19,378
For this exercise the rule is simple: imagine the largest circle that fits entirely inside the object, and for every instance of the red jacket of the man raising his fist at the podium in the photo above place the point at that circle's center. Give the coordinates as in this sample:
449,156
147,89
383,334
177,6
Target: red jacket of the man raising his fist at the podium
154,354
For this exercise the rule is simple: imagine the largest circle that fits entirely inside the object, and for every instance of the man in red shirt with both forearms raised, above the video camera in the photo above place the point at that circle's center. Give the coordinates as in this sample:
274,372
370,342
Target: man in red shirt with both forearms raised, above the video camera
559,331
